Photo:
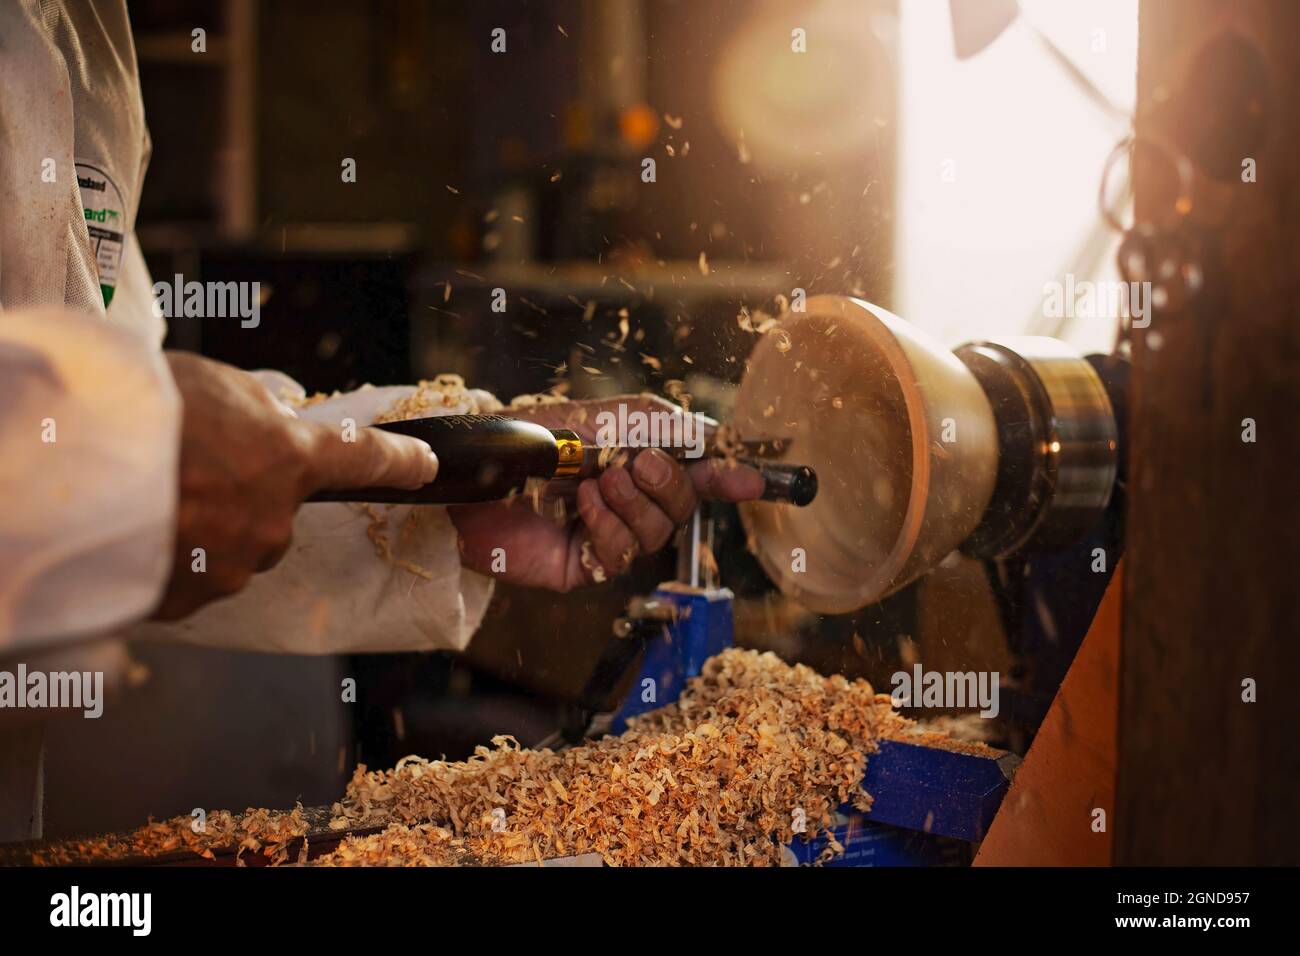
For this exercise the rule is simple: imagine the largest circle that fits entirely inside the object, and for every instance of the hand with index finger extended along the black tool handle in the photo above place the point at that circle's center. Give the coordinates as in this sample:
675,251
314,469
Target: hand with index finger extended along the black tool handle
248,462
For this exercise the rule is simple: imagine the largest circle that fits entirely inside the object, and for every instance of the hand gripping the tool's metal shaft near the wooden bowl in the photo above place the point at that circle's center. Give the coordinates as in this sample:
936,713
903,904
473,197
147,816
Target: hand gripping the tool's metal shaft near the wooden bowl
627,512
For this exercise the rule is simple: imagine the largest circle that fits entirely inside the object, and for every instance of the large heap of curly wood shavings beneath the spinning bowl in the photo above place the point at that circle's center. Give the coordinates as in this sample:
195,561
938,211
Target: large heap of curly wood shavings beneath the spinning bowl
713,780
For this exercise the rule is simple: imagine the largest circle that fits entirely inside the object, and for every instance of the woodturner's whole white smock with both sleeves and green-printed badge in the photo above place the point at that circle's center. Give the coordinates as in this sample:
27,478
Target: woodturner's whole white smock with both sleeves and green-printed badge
90,418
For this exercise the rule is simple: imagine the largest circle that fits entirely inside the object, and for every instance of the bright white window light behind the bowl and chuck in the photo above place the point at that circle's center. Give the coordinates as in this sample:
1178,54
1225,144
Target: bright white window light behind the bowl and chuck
1000,165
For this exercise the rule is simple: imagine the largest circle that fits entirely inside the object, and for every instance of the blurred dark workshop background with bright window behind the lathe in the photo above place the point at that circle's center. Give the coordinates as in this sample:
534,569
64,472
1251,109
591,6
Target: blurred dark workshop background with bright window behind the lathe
878,165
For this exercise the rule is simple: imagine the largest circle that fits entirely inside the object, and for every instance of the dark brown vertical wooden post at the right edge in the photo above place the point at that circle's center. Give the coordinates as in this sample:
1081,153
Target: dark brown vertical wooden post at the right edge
1214,559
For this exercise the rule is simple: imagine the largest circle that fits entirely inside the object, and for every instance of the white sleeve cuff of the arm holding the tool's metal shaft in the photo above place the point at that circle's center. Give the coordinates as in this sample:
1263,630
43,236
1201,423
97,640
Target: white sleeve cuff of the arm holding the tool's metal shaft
336,592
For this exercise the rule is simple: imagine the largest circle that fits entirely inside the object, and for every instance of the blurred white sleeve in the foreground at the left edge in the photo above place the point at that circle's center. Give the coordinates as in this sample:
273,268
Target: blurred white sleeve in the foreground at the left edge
90,427
